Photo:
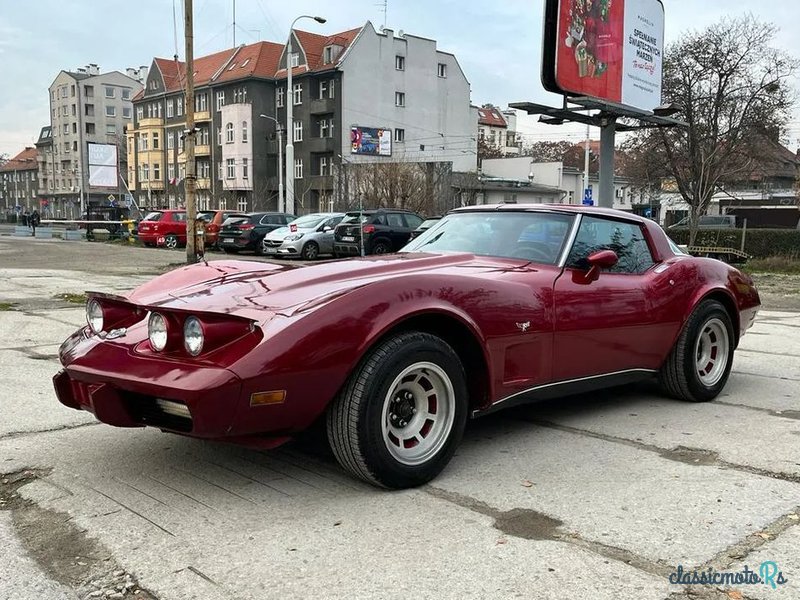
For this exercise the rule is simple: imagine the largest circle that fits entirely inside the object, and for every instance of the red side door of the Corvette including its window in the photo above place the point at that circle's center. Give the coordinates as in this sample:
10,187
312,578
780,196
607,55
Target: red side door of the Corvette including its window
604,326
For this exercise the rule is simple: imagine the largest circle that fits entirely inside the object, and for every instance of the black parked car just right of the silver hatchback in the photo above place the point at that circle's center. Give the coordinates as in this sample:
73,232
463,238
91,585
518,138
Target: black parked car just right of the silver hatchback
385,230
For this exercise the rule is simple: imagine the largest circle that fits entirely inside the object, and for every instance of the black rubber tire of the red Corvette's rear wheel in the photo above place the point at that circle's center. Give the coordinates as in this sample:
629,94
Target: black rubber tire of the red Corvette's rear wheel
680,376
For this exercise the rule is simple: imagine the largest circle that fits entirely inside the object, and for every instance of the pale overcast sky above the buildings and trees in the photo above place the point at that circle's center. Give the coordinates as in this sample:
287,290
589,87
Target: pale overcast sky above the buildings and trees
497,43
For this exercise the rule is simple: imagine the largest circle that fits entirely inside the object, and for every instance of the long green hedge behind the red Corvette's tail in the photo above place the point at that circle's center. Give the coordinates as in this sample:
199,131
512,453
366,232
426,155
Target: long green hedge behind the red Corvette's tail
759,243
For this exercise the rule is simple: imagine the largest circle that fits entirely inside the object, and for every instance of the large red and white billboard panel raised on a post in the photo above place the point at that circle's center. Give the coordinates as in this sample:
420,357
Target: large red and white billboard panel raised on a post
610,50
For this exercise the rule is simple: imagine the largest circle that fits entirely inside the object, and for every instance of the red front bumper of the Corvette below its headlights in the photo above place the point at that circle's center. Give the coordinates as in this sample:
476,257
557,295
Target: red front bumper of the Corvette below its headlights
198,400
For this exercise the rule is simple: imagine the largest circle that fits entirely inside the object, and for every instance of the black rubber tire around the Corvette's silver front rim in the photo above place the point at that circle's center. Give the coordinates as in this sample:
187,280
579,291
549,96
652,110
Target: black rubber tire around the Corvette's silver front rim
356,418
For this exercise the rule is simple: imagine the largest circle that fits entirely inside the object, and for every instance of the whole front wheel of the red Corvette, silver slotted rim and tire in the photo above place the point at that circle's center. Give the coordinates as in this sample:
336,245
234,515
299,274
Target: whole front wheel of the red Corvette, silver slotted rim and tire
402,413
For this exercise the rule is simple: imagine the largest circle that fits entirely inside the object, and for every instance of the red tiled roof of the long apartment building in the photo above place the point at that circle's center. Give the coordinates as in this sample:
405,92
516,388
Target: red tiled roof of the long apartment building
254,60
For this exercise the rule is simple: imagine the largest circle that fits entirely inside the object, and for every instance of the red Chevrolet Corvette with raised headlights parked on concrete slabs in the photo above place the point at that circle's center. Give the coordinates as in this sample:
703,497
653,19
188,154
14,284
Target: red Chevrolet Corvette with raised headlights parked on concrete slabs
491,307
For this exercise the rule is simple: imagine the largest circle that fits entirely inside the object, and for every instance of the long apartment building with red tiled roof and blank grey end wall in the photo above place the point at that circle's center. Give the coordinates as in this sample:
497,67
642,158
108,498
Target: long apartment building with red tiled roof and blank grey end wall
352,83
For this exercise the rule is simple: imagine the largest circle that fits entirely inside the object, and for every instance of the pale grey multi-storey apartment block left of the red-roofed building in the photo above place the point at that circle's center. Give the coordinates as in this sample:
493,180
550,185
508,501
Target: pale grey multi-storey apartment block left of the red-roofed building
87,106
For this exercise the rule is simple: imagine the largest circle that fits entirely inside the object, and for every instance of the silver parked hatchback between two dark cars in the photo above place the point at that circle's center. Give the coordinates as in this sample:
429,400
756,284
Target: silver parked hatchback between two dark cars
308,237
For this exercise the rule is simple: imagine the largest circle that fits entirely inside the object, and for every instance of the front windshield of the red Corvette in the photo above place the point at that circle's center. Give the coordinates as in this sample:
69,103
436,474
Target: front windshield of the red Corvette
534,236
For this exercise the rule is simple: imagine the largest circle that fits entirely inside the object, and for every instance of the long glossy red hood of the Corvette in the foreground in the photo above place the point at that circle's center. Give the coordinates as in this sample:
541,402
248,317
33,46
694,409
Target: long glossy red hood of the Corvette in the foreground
257,290
